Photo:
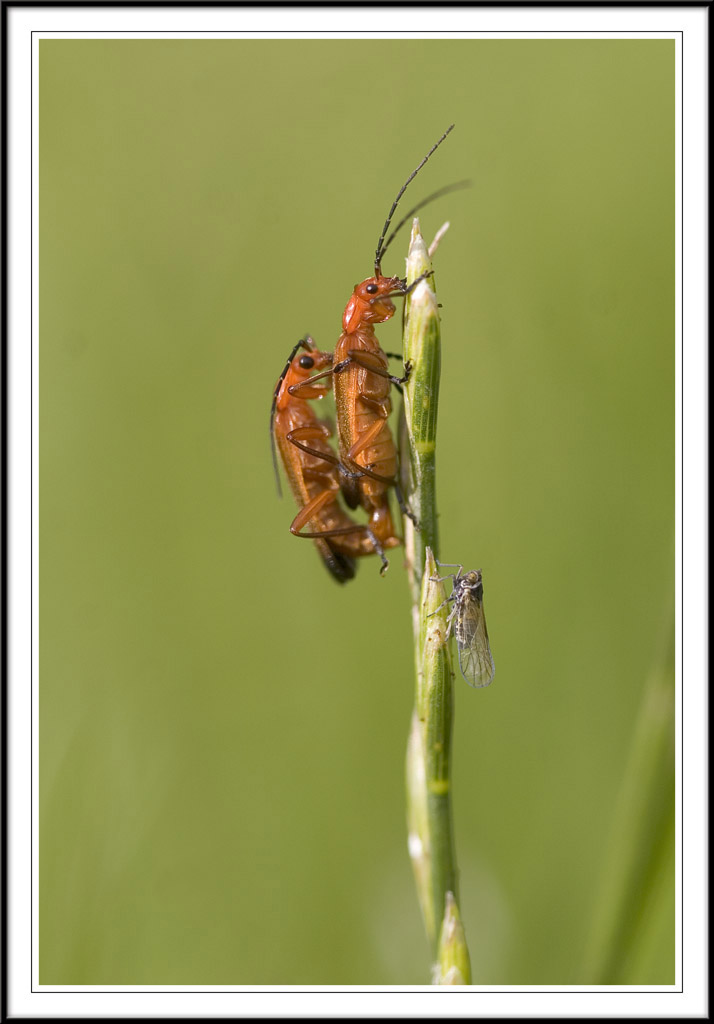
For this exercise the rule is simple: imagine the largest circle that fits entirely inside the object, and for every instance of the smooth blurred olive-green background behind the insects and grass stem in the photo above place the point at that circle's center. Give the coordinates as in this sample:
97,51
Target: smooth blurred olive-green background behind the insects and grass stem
224,728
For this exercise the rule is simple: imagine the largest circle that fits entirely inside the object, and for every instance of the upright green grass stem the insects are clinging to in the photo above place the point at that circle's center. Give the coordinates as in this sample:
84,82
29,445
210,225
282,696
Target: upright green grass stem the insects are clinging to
429,778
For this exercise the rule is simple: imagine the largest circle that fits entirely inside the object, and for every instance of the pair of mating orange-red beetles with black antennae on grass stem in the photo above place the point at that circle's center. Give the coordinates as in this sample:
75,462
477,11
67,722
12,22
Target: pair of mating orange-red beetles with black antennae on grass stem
366,466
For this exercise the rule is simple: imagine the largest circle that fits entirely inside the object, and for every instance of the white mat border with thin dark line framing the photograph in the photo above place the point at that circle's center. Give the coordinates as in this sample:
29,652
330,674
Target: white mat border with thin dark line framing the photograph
692,413
